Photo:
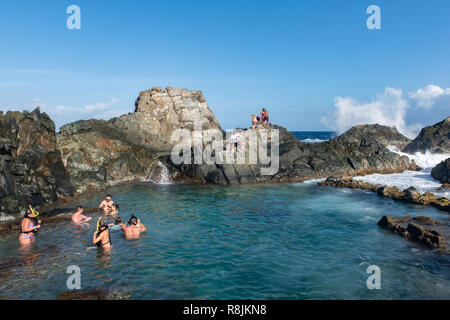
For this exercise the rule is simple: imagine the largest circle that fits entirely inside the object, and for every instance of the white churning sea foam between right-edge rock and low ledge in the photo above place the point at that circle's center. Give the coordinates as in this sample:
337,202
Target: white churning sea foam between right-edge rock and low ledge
421,180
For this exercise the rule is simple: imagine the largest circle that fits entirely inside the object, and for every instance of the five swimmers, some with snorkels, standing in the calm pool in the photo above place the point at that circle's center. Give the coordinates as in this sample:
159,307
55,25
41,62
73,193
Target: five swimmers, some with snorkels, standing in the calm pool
132,229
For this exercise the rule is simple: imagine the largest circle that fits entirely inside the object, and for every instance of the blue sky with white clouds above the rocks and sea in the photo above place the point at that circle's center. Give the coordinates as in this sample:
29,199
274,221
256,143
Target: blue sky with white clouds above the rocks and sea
314,64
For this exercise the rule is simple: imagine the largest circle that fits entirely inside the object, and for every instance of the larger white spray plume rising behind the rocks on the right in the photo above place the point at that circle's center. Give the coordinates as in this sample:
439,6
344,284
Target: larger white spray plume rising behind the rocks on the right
388,109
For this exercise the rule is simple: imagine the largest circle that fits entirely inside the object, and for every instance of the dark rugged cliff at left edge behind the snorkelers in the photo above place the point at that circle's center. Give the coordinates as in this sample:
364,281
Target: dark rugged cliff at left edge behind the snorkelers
31,169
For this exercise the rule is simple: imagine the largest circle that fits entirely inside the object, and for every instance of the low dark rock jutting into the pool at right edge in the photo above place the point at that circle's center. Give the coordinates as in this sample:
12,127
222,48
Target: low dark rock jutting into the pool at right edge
417,229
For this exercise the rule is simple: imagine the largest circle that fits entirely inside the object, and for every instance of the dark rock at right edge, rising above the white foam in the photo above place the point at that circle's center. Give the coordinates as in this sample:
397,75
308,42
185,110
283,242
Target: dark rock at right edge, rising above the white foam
435,139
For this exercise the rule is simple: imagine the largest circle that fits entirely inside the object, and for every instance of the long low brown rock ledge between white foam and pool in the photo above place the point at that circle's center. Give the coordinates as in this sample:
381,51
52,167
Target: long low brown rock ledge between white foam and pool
410,194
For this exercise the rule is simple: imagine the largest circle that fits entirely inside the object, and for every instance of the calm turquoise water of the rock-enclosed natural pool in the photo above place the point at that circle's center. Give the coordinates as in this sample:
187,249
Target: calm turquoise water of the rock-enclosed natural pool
289,241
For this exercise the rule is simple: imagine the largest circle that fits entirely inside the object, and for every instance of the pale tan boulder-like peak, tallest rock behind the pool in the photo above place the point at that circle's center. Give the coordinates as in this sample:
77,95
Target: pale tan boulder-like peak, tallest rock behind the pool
158,113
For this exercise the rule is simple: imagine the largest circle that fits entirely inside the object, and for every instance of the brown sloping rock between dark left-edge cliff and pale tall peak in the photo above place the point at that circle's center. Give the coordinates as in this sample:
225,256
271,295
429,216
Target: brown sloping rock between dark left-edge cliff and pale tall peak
96,155
